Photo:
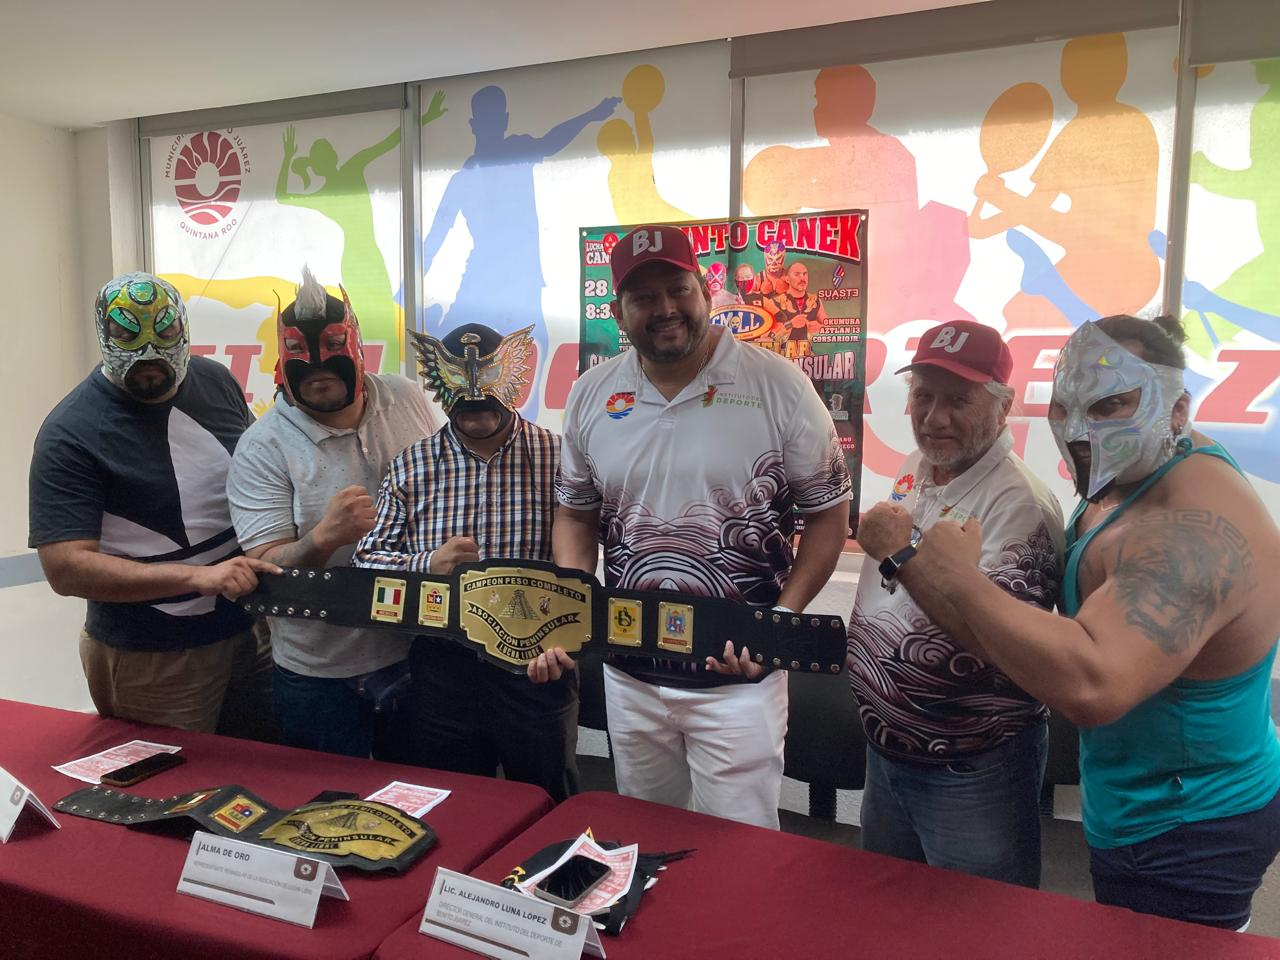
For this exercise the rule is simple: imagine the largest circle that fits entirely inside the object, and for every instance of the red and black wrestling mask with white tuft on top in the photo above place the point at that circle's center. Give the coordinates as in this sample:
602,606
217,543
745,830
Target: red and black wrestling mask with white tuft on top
322,355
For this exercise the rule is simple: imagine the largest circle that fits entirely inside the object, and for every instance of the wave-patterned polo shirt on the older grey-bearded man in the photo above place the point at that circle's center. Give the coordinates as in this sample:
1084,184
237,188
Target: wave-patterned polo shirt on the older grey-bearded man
921,696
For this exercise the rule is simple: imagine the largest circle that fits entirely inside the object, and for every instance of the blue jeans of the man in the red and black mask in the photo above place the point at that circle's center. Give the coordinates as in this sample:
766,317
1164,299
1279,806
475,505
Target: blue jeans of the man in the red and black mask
323,714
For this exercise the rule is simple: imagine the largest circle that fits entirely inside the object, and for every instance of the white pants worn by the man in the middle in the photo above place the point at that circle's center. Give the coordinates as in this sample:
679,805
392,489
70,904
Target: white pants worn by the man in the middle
715,751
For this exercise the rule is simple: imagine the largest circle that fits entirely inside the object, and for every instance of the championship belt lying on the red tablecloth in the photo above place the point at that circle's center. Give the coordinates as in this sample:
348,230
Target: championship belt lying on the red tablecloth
363,834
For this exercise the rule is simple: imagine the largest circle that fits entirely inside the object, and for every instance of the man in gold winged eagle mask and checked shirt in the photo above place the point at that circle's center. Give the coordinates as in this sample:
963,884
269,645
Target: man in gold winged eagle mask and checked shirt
483,487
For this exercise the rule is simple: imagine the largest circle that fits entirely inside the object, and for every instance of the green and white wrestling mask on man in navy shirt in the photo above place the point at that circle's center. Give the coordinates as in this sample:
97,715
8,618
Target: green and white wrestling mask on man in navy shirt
143,332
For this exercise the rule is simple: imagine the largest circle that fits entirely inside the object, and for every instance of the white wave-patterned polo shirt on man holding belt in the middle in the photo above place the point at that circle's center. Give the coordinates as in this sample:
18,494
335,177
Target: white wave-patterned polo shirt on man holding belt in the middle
698,495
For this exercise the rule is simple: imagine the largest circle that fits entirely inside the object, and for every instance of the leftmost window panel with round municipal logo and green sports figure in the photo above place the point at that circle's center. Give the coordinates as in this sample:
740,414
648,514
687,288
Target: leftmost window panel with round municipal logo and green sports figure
237,213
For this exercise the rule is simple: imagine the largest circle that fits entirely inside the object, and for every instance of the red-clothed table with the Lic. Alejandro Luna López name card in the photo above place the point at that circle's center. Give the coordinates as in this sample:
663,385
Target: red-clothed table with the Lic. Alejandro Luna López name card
751,894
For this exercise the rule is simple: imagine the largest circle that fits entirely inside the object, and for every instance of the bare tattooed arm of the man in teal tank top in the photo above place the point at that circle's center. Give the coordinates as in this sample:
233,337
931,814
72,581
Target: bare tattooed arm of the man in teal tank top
1169,583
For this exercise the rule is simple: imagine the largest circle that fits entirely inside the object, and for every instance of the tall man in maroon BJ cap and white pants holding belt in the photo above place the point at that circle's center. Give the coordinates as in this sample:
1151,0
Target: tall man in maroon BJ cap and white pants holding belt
688,458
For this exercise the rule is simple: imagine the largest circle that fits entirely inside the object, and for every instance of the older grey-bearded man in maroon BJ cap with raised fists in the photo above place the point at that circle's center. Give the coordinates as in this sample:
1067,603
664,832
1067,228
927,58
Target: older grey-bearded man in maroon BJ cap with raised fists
957,751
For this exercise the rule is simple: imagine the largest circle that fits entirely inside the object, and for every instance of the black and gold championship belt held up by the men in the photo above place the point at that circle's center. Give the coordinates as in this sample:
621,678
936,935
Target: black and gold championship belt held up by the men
511,611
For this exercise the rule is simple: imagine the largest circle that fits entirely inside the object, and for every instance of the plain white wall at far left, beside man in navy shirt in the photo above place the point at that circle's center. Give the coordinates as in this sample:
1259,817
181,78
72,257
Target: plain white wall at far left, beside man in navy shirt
51,236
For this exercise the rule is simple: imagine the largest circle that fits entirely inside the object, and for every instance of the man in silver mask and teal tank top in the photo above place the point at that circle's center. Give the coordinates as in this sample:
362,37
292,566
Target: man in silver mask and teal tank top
1164,660
